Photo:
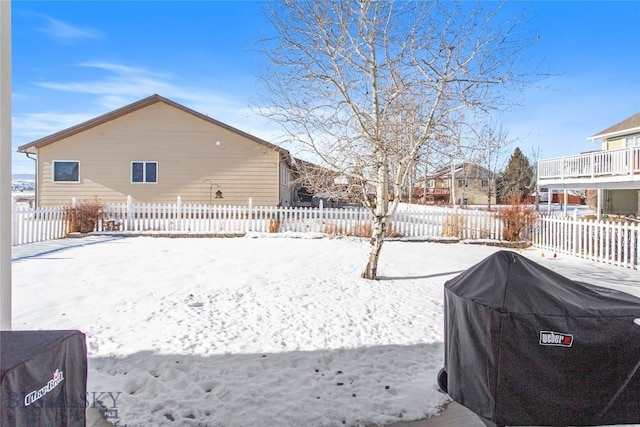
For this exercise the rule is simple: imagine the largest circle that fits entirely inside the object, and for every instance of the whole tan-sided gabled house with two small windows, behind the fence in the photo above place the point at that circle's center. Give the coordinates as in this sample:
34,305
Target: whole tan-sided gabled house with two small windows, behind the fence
156,150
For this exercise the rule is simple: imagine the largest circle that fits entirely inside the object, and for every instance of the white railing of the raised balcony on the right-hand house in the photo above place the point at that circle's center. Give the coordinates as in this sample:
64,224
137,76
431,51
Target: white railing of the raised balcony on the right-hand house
618,165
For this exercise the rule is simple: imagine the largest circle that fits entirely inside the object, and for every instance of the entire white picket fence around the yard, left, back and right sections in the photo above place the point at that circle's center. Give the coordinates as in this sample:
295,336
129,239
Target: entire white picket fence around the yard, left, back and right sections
601,241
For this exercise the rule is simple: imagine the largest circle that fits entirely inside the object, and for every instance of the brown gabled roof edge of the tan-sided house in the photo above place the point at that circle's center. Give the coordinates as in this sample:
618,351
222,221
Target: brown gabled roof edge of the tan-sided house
32,147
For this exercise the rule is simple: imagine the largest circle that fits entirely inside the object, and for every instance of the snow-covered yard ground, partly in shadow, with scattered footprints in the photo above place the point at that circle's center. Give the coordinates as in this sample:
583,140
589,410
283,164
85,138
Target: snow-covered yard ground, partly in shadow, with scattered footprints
258,331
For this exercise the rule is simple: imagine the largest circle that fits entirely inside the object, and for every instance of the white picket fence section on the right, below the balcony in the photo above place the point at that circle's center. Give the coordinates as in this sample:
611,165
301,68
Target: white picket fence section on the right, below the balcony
602,241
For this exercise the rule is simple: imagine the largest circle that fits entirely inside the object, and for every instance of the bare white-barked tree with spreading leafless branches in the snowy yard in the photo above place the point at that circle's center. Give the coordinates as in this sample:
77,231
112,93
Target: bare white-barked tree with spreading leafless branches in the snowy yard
365,85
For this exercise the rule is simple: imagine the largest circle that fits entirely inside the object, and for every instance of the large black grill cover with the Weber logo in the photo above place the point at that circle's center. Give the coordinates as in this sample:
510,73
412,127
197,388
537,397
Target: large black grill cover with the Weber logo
527,346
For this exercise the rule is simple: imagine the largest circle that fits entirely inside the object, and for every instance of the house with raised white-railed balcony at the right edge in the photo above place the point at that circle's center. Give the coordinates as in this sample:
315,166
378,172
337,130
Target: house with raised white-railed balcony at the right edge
612,172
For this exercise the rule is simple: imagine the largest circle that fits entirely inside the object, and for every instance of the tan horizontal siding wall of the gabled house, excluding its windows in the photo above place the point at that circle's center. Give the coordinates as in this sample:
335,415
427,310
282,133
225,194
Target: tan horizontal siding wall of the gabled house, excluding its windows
188,150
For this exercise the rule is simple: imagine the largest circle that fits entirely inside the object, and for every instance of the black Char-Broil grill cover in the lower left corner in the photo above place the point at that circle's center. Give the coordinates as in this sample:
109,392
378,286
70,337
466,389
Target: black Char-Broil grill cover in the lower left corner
43,378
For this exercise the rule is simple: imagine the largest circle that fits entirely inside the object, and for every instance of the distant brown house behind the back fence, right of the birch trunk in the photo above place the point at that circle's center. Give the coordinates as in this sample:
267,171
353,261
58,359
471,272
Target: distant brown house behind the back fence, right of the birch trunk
472,185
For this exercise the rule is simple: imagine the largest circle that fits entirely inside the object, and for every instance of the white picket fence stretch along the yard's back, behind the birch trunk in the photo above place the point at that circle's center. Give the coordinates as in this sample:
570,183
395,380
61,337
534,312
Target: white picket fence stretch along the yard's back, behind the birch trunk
408,221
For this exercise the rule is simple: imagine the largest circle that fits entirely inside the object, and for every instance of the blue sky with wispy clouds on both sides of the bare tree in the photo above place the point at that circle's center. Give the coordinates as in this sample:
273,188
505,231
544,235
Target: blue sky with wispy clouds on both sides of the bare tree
75,60
